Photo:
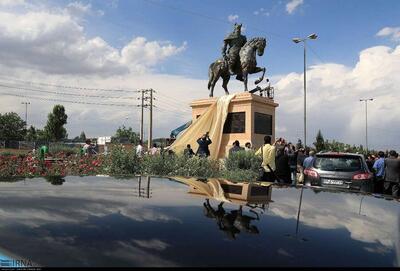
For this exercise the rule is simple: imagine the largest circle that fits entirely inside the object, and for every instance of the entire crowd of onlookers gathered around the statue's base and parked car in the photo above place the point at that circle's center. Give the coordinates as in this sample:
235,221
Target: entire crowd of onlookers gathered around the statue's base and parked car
284,162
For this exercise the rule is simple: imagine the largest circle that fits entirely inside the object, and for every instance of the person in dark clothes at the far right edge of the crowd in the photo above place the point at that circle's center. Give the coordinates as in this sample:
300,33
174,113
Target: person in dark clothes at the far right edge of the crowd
392,174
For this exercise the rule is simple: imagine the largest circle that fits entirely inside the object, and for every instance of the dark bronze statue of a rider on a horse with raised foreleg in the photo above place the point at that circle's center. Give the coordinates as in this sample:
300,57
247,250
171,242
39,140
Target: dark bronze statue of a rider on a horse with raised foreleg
239,59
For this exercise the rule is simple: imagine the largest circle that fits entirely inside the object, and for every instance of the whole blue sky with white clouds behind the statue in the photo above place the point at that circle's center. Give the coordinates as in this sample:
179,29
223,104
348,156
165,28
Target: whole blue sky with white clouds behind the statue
80,53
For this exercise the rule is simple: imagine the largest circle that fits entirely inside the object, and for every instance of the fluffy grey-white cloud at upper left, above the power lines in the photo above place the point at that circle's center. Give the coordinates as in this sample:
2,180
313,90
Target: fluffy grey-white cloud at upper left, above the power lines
56,43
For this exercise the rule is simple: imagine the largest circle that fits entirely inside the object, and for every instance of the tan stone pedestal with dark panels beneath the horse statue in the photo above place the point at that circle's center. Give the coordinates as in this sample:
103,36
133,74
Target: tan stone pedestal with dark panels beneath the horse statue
250,118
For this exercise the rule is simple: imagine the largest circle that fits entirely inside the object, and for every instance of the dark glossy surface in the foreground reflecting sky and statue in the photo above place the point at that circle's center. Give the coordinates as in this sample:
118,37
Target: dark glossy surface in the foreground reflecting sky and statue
96,221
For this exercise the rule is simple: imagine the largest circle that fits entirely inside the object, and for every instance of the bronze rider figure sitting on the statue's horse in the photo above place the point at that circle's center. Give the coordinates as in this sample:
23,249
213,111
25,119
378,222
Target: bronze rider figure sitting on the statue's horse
235,40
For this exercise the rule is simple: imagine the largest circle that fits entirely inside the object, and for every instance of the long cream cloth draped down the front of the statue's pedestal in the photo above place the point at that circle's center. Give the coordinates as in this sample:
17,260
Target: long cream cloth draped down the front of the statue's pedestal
212,121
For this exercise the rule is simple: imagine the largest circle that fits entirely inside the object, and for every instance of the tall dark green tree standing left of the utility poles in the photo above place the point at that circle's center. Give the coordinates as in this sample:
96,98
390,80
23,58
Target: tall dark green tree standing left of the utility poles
56,120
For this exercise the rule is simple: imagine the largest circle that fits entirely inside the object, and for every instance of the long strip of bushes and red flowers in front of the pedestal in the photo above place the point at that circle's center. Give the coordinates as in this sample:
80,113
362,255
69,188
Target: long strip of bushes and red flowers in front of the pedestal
241,166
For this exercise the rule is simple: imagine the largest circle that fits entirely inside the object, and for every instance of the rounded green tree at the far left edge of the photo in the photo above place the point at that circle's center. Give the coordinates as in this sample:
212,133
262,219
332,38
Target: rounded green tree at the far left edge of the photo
12,127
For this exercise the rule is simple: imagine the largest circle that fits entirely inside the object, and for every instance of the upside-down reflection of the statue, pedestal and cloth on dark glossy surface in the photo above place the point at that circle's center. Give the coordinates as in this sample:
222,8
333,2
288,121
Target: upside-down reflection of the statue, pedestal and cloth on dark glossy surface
243,194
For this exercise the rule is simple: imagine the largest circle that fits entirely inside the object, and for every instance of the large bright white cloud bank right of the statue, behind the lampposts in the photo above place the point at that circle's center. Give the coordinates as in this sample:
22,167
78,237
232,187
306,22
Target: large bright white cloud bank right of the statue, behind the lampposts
333,93
